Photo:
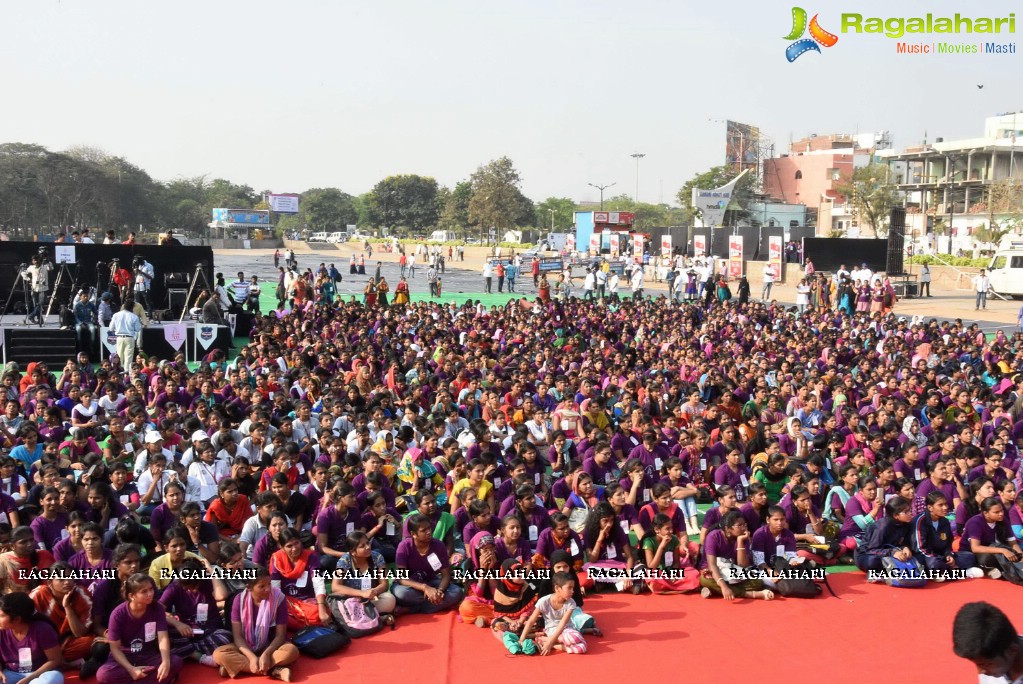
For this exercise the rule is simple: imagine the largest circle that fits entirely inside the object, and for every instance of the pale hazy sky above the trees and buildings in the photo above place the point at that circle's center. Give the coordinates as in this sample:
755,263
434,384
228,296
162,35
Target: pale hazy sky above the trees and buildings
312,94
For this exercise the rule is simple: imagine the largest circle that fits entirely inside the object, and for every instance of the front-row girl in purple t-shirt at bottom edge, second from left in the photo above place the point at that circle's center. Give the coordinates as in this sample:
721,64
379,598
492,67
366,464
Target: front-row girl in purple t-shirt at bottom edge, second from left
141,647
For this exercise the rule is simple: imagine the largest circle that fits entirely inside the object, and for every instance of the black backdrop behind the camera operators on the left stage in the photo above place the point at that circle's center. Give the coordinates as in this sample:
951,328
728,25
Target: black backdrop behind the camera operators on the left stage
94,265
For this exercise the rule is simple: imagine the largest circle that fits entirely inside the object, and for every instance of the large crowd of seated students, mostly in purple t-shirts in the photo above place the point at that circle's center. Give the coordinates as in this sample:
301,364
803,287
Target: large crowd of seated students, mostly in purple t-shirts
433,441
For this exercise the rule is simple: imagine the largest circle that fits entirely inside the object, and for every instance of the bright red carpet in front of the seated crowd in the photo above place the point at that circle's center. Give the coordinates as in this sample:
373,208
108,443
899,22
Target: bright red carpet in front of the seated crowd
879,633
